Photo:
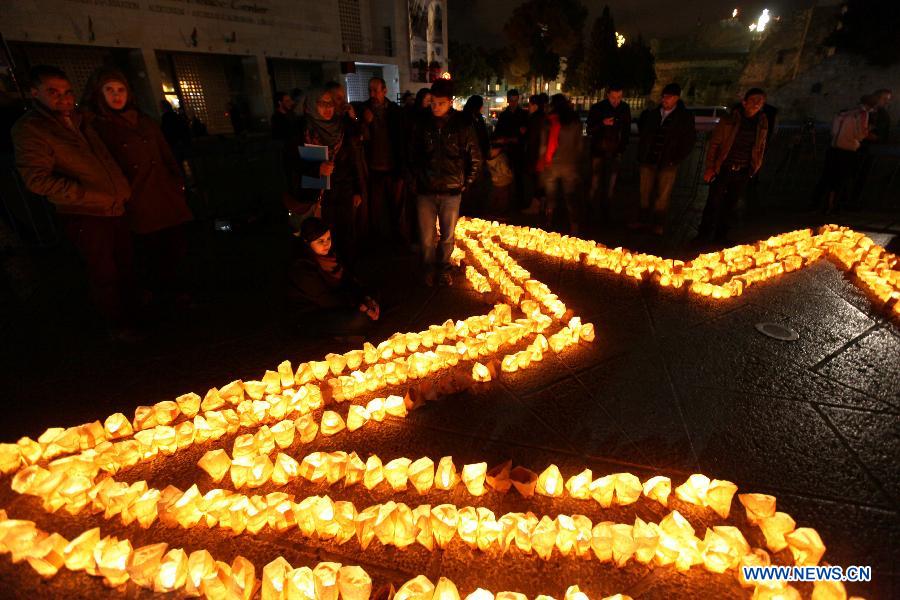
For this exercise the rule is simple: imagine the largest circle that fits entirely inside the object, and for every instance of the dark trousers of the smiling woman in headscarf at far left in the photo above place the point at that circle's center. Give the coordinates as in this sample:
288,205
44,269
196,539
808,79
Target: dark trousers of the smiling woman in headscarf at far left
160,258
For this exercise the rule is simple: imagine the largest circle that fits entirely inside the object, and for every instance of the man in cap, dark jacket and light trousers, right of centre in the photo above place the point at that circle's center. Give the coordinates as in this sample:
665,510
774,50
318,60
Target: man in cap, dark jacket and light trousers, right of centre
667,136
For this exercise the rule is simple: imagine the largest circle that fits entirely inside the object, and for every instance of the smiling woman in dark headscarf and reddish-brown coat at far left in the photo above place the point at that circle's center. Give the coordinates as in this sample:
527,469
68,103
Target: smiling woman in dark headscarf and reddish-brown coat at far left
158,209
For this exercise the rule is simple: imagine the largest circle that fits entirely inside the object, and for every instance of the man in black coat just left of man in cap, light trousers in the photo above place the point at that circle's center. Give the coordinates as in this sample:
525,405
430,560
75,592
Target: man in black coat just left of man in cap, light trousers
609,125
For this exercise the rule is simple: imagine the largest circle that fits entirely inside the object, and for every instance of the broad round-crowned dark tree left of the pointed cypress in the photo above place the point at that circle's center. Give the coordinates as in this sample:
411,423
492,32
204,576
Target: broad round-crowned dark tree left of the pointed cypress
540,32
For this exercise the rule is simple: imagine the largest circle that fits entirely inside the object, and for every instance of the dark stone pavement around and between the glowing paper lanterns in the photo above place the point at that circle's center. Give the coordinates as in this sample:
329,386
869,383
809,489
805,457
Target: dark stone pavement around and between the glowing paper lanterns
672,385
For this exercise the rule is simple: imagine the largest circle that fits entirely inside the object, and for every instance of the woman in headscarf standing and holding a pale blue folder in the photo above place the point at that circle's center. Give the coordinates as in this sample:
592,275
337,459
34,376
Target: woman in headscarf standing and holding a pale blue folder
322,126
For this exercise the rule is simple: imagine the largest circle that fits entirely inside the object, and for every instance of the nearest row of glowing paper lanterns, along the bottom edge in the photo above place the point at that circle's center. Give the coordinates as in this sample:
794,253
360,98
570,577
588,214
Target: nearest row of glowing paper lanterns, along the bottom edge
160,569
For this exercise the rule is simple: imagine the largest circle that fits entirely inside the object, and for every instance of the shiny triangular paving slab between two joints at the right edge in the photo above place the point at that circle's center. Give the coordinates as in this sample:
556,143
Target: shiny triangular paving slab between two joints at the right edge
870,365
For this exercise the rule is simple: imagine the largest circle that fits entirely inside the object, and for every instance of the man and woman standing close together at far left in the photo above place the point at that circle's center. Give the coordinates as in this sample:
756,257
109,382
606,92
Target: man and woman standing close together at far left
117,187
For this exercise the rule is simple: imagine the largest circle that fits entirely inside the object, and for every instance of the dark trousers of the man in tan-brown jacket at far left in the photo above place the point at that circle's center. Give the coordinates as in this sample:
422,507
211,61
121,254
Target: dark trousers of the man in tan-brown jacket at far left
105,245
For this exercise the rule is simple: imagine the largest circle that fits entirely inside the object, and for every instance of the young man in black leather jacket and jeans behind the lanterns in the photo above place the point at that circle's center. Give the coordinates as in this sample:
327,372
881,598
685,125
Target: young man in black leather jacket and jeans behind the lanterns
444,161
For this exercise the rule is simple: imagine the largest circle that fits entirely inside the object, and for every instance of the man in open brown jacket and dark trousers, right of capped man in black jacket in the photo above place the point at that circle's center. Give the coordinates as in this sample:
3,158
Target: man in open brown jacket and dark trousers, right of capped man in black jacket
734,154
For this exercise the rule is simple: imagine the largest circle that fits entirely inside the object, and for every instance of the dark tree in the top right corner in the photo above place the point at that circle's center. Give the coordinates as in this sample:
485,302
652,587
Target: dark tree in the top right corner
870,28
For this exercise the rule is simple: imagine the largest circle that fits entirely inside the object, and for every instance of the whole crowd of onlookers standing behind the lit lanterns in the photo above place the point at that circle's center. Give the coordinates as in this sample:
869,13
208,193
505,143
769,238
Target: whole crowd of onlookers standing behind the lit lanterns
394,175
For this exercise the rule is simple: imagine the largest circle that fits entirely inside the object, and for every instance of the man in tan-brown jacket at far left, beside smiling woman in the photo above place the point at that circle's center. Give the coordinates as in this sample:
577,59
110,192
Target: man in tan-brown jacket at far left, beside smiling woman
61,157
